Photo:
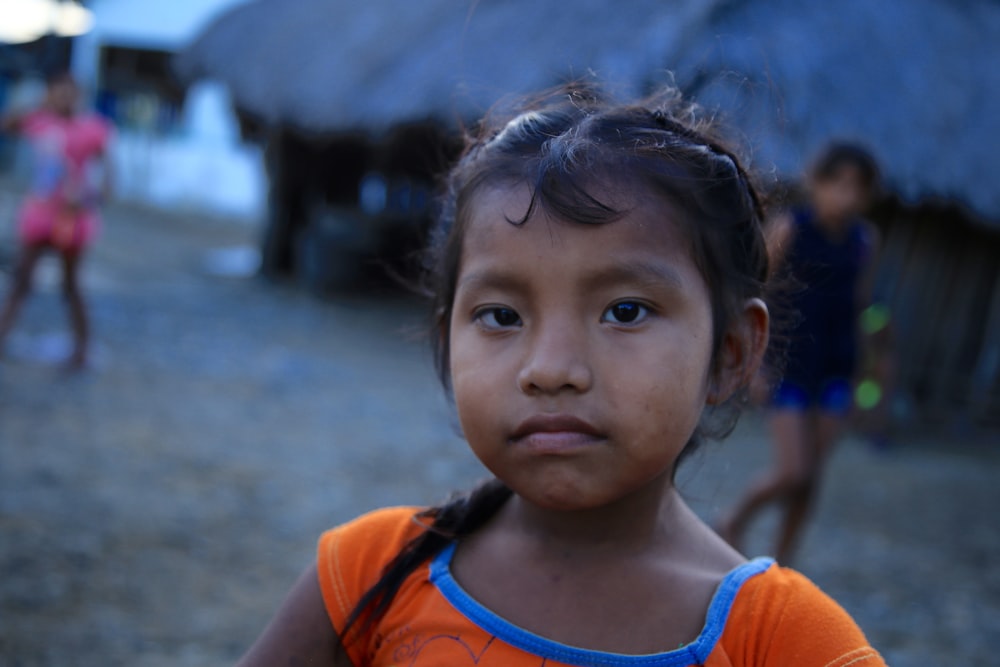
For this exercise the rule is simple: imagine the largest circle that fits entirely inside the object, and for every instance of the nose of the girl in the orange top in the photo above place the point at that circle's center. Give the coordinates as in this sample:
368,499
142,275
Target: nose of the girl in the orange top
556,361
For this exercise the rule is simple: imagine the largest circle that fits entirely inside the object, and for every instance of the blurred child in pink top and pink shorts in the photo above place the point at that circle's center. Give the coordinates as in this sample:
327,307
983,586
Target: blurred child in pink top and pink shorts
60,211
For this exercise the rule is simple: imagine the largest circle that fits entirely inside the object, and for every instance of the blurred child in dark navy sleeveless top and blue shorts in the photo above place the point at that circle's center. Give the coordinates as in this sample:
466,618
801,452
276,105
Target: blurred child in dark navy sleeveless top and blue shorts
827,249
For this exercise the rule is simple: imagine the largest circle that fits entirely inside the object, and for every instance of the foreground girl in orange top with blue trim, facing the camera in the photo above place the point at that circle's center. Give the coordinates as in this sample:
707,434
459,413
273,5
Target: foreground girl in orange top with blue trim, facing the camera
597,276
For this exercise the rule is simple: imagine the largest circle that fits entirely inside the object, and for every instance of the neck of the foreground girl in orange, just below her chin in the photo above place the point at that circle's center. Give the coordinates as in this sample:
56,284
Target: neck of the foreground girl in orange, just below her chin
632,523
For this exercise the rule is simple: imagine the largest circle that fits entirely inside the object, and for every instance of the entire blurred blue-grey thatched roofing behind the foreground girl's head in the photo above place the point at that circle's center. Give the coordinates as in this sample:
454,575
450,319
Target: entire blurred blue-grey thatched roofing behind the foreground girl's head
915,79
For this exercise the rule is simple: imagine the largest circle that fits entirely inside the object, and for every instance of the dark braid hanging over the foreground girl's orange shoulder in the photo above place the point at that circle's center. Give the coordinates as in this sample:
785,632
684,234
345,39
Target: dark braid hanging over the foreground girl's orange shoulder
462,515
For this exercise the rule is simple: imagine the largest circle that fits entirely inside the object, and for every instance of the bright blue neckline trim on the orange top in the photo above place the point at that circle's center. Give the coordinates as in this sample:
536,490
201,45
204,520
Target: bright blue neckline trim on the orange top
693,653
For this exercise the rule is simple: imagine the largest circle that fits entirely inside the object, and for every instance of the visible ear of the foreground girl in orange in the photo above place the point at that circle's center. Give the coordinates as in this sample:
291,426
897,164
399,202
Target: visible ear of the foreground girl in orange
743,347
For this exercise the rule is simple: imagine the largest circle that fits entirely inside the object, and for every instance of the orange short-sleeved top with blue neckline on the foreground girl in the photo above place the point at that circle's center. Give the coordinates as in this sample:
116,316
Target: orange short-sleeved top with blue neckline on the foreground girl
761,615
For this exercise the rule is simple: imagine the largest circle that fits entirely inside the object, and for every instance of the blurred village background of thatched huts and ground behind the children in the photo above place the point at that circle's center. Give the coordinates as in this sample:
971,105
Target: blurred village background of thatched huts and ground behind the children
259,376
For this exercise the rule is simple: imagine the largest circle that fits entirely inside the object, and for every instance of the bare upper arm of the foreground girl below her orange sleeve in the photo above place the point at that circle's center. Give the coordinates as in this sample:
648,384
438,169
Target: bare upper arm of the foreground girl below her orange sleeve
300,634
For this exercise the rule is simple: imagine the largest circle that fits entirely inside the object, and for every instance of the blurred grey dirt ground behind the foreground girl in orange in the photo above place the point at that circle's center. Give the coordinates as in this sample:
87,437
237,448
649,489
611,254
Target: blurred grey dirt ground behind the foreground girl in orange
154,510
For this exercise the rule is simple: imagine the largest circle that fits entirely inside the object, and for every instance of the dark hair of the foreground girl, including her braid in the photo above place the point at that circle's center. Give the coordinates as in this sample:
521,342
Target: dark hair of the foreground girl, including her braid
563,145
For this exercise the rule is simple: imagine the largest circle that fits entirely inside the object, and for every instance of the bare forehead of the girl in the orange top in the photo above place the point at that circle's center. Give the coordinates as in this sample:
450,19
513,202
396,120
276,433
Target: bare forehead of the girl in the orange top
497,232
